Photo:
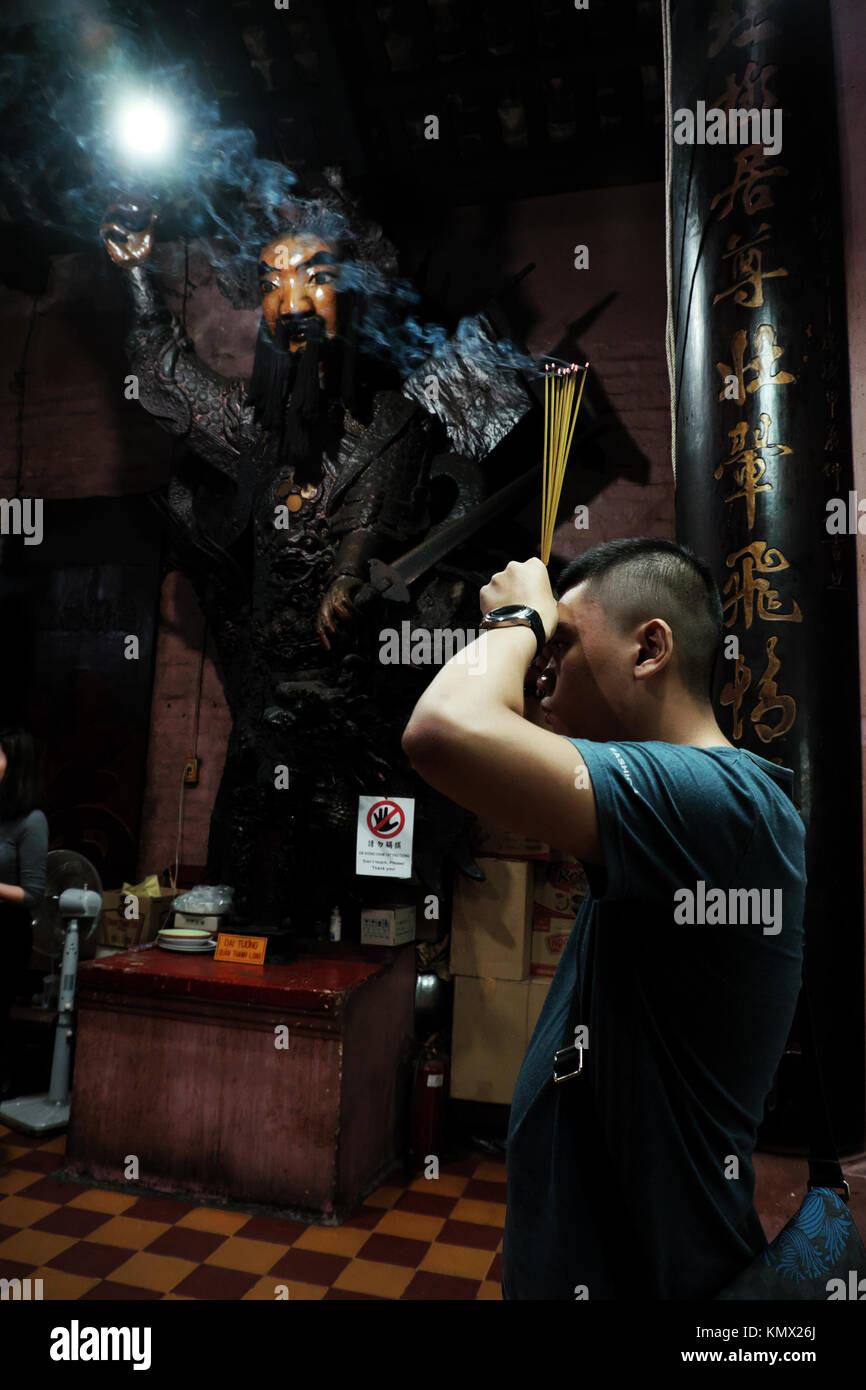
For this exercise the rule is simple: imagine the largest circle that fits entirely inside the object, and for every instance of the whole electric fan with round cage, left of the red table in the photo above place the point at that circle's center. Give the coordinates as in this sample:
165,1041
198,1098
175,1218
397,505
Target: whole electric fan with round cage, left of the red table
65,925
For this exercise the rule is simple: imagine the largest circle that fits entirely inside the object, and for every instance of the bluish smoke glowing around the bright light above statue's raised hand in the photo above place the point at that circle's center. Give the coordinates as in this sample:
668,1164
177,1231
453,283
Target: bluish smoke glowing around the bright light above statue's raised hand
62,98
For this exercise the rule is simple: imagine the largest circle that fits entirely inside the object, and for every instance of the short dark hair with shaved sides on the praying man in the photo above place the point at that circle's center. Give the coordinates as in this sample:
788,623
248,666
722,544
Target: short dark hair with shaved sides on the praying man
639,579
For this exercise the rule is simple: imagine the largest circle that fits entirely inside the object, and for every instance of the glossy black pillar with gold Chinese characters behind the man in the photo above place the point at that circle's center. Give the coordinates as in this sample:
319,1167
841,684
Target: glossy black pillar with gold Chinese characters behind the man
764,447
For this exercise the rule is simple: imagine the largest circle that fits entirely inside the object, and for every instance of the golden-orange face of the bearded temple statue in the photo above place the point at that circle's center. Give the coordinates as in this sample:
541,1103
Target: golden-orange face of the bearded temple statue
297,280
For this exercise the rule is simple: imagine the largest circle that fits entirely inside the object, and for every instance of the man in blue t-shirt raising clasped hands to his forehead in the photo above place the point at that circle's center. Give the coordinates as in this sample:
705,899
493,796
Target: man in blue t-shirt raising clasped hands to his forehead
632,1179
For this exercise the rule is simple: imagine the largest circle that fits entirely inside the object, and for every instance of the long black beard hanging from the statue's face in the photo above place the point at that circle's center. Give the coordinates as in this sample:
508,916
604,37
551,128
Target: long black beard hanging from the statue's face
290,400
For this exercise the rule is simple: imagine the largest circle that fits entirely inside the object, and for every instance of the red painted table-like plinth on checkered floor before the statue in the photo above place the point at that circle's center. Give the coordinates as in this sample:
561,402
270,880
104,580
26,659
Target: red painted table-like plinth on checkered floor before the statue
179,1065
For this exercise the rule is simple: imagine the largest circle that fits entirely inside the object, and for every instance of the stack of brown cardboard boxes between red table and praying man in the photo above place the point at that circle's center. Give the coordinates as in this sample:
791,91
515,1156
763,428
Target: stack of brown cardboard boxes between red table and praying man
507,939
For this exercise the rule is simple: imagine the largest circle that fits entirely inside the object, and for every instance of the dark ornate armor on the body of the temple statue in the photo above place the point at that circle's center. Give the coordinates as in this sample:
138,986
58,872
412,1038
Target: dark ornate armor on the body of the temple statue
334,718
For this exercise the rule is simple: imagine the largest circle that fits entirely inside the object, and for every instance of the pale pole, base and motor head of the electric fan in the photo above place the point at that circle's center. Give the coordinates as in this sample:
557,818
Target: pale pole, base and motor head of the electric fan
42,1114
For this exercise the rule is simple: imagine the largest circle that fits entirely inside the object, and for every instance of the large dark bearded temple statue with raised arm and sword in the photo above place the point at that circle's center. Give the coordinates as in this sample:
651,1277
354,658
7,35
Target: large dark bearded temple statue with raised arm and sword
297,491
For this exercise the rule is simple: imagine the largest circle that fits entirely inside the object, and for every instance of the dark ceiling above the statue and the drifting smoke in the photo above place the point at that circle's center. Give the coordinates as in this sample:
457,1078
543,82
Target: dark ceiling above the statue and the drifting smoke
532,98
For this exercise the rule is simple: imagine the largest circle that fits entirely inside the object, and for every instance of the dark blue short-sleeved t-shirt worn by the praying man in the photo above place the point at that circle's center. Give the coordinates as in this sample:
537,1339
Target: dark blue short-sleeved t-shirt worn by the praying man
635,1179
